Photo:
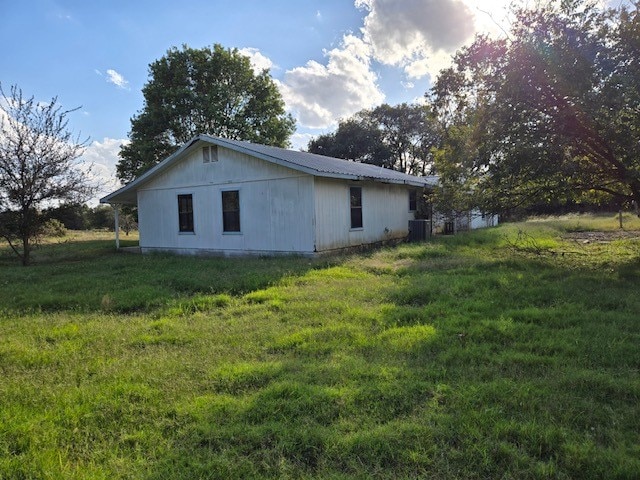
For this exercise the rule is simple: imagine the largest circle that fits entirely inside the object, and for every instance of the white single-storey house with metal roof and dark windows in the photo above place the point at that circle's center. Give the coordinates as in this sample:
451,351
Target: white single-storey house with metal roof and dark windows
231,197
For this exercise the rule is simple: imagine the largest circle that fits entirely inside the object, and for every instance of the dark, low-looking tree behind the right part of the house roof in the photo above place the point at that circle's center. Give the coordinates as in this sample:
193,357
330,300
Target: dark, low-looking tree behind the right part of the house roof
397,137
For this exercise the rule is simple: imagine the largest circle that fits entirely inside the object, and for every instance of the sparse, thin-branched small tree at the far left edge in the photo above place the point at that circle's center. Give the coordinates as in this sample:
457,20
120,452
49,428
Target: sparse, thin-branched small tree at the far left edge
37,166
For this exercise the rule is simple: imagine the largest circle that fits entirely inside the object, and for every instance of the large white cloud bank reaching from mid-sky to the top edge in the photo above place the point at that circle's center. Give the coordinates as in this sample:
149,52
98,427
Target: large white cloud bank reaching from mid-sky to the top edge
417,36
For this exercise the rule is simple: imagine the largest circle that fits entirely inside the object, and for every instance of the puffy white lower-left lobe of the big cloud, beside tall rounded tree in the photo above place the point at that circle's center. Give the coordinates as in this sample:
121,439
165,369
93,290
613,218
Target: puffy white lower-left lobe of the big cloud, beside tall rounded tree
320,94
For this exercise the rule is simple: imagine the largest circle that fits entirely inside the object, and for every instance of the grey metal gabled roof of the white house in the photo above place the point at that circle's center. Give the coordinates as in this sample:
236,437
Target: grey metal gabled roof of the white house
313,164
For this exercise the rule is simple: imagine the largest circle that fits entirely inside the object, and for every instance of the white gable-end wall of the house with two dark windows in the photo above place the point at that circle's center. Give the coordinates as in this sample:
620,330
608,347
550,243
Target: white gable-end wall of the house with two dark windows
276,207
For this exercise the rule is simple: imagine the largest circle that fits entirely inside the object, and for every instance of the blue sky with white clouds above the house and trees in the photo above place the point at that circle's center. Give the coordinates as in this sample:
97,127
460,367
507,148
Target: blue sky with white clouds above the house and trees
329,58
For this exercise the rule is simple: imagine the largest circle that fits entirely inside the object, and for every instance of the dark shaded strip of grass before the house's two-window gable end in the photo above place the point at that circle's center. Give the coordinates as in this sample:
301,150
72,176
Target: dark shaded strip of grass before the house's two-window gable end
90,276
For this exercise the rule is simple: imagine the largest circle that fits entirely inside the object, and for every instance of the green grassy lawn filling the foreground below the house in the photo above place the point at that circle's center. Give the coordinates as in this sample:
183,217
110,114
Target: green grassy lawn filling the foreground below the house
511,352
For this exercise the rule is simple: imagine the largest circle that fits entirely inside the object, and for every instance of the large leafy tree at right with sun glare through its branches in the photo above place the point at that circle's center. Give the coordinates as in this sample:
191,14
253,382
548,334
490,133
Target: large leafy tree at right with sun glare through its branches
553,110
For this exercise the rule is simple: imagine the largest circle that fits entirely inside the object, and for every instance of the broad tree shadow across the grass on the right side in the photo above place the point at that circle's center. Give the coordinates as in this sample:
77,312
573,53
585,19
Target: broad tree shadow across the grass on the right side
479,368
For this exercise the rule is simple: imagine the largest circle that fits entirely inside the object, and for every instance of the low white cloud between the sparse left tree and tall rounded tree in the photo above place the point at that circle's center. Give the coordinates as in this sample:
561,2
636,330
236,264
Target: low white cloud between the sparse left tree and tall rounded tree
99,160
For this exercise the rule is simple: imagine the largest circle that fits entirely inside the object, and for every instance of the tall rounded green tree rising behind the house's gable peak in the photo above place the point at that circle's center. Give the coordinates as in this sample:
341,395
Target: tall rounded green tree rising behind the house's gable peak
210,90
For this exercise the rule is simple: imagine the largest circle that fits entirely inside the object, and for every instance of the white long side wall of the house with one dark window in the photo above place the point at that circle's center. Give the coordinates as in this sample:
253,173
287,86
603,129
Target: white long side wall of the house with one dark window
385,213
